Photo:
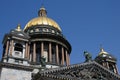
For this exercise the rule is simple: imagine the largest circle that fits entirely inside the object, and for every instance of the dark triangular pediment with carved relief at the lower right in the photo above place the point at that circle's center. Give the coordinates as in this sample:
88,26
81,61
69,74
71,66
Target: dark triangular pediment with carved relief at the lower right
84,71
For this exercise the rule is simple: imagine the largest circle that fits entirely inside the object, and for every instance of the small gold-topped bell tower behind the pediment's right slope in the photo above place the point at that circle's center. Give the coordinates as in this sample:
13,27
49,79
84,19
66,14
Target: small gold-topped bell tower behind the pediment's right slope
107,60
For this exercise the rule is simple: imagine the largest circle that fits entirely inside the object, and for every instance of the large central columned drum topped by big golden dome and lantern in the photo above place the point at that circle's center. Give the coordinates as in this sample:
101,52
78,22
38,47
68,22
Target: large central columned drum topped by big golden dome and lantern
47,40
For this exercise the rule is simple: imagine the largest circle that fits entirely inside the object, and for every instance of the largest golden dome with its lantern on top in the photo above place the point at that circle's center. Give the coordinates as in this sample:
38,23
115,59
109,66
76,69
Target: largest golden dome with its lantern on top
42,19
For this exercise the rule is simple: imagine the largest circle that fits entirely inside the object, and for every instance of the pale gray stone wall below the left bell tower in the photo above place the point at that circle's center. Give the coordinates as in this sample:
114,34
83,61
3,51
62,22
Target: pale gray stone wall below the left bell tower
13,74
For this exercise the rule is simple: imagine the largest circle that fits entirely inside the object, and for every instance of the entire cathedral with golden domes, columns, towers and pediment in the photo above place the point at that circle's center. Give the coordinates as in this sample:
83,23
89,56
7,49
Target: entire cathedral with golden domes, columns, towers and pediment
41,52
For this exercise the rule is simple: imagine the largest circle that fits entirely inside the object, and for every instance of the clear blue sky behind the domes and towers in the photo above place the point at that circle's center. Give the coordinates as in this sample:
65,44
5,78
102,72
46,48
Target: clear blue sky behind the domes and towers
87,24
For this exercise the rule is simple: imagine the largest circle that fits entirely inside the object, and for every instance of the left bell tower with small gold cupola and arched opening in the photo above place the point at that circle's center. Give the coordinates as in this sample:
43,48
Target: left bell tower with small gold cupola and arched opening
15,47
